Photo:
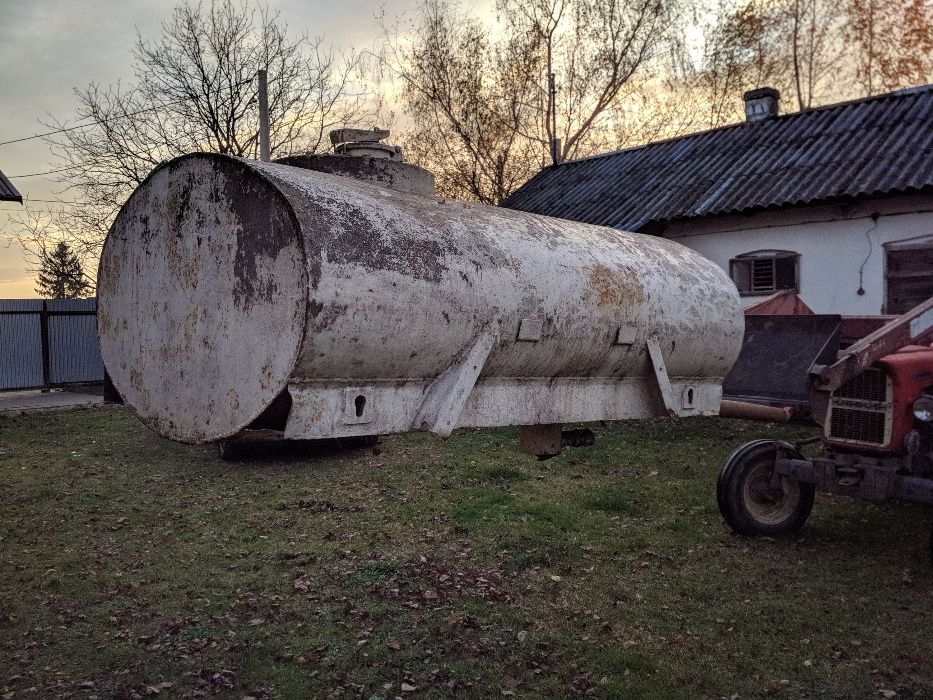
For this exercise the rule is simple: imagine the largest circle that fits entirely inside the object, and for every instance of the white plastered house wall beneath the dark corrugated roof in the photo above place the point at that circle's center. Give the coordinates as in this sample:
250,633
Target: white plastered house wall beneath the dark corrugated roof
833,243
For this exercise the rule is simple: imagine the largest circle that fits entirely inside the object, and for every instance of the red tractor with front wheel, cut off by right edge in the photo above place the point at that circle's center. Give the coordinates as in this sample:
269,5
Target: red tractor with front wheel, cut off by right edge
875,408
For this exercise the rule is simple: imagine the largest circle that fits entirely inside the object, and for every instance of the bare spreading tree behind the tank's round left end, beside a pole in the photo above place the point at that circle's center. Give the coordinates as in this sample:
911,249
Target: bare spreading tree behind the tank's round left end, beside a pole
194,89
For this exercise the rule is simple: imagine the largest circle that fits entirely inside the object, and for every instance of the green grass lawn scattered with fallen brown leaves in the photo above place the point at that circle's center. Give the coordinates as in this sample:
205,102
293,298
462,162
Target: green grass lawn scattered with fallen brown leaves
133,566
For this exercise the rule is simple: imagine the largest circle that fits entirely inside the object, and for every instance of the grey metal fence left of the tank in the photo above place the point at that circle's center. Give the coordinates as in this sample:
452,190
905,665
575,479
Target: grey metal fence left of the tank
48,343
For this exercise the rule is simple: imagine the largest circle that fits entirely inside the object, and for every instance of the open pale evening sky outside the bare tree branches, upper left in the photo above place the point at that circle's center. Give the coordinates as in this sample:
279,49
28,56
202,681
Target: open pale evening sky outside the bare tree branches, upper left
49,47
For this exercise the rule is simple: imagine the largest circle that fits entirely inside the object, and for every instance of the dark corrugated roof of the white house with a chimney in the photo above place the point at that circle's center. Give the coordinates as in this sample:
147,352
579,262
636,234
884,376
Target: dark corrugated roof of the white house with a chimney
877,145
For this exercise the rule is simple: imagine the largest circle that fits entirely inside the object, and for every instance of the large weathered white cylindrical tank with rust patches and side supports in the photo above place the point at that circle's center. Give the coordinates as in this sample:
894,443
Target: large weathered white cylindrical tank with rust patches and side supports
236,294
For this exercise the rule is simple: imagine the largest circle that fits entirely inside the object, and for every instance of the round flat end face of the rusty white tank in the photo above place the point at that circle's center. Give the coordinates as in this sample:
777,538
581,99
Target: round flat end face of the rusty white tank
202,298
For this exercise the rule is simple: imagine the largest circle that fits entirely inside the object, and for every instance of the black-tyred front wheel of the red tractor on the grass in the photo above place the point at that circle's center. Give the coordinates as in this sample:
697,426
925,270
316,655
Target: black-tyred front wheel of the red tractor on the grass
748,500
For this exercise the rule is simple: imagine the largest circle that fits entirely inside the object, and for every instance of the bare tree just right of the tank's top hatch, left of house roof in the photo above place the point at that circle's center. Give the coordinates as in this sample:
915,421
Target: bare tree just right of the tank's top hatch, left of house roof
471,102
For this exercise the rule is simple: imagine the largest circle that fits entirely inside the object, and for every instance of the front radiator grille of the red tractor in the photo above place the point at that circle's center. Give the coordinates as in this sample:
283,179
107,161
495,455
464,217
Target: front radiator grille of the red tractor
859,410
